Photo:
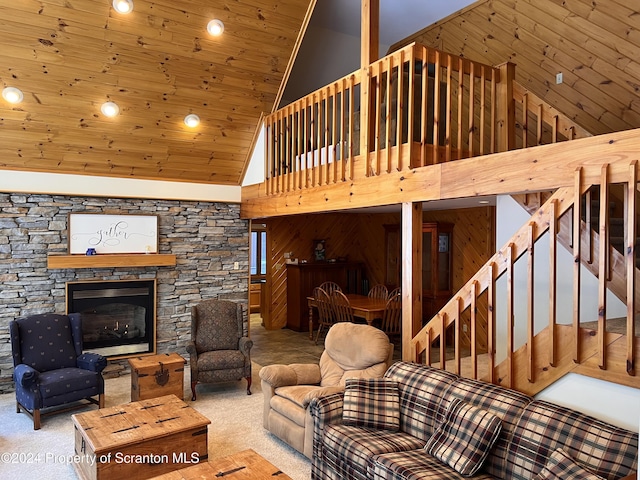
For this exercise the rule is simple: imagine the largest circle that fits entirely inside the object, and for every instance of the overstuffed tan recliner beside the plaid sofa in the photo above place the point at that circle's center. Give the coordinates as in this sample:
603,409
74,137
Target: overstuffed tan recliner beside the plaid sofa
351,351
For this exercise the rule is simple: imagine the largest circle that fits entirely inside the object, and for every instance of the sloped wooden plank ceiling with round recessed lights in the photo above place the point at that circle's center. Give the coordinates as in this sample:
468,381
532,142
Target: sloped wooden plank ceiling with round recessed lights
158,63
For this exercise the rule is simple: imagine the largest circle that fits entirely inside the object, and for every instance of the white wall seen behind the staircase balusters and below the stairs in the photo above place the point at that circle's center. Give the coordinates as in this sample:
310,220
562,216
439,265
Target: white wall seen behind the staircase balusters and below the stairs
608,401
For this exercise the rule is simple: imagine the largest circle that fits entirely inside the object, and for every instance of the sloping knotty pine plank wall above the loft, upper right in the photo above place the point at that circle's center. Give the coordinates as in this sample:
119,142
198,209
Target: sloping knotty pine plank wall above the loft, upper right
596,46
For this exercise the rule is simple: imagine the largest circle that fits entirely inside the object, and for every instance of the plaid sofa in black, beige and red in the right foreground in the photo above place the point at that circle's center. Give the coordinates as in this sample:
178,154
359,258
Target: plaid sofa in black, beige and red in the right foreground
536,437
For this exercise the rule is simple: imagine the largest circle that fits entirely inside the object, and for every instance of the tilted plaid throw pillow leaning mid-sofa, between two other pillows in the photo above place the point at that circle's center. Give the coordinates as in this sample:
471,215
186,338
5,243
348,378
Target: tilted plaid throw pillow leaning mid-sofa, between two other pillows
465,438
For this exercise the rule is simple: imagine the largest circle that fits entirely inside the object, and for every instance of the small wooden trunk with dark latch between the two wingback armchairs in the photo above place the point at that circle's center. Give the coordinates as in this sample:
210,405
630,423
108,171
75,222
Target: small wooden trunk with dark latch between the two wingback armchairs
157,375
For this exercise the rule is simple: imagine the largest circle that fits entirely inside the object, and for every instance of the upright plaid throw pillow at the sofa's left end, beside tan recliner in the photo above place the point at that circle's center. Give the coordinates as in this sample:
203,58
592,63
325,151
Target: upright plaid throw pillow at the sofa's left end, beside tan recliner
371,403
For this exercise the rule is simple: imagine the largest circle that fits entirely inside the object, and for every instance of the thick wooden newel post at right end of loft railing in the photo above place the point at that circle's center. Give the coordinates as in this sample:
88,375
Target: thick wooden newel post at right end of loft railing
506,117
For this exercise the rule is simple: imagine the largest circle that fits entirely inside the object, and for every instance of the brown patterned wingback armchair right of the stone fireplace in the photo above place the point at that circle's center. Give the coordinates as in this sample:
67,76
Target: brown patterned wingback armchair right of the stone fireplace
219,346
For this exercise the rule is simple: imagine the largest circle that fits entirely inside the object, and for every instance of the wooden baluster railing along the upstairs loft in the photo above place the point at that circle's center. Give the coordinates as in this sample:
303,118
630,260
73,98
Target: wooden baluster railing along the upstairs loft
450,105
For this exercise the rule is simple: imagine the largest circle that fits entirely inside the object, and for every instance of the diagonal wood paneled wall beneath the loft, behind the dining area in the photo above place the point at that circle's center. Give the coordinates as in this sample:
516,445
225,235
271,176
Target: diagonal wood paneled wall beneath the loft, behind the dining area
360,237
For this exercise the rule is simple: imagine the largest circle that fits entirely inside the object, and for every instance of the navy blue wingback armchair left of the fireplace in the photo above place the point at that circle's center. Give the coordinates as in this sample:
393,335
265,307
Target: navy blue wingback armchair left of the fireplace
49,367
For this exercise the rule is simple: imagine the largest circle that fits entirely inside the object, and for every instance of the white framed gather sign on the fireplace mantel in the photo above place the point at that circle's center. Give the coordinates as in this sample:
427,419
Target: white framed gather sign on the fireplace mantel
112,233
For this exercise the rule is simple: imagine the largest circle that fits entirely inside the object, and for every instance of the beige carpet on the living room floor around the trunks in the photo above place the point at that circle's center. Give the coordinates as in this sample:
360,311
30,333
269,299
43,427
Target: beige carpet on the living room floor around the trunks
236,424
